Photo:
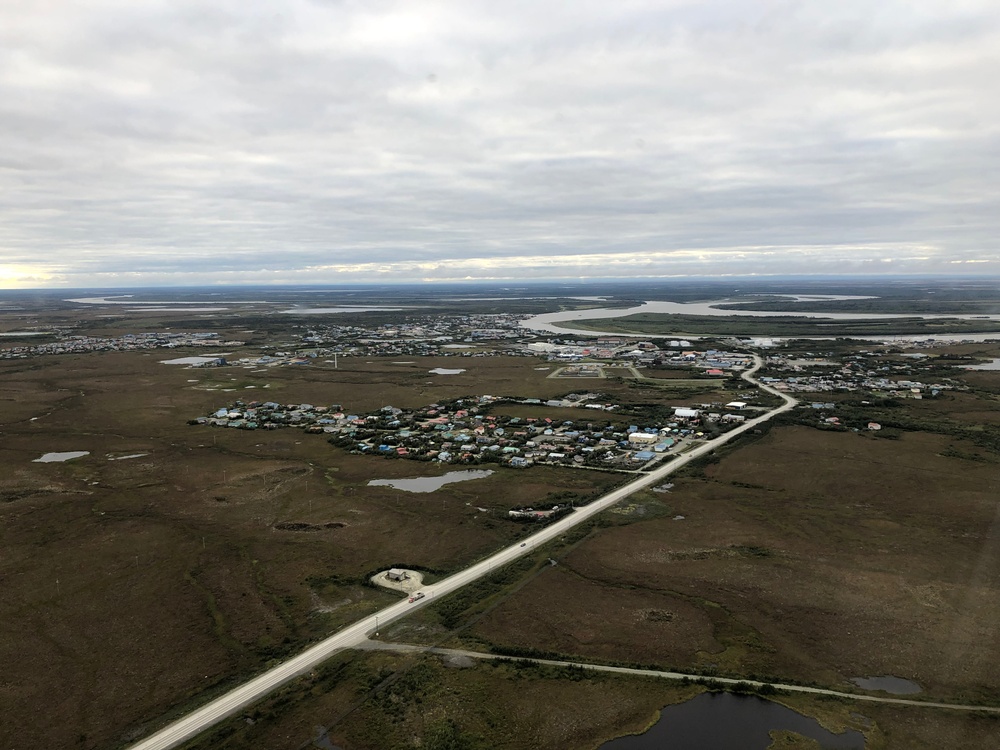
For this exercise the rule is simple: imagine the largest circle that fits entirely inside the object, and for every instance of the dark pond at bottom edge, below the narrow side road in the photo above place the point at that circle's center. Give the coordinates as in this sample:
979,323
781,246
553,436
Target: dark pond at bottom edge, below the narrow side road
723,721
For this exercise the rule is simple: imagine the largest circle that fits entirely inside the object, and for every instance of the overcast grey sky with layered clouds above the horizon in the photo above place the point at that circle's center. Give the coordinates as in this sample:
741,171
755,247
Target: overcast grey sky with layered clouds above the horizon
308,141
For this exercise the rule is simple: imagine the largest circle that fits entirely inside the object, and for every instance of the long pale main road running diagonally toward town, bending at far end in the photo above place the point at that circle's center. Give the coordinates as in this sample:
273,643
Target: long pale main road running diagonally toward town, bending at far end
201,719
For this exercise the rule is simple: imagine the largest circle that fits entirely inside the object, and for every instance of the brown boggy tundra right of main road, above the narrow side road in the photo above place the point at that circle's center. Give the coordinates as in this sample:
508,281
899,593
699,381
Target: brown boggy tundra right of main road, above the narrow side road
808,555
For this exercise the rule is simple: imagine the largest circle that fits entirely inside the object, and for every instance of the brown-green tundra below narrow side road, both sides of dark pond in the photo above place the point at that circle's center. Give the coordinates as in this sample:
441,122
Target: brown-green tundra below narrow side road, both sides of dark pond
384,699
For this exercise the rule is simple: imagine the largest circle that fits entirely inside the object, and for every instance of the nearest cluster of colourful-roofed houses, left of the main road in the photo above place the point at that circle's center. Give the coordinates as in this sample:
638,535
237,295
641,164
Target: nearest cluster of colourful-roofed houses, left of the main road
464,431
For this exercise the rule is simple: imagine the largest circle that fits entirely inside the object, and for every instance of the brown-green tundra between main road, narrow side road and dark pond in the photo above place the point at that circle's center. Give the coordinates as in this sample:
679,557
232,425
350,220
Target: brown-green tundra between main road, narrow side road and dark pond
383,700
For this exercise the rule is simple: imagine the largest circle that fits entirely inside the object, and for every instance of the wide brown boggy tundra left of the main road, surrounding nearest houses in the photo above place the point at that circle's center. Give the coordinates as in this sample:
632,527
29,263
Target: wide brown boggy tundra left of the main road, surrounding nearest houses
137,586
